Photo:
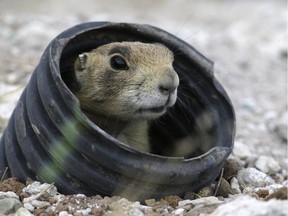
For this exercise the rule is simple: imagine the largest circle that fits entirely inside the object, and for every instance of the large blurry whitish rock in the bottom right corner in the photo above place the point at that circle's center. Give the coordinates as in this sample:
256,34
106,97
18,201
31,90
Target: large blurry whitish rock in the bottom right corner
246,205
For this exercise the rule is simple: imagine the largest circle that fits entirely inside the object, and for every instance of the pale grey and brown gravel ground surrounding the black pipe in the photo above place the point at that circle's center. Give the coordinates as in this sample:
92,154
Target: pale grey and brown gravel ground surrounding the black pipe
247,40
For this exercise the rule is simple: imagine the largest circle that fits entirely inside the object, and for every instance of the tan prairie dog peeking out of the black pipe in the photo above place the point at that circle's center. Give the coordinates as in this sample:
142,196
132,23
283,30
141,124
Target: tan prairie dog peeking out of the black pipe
123,85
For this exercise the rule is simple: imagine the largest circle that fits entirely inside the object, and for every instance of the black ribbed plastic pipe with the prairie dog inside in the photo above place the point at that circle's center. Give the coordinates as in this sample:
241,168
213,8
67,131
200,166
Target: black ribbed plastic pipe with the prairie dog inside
48,137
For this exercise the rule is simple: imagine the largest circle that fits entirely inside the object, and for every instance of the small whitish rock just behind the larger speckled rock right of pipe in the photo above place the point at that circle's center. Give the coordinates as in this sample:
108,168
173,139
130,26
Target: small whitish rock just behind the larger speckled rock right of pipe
267,165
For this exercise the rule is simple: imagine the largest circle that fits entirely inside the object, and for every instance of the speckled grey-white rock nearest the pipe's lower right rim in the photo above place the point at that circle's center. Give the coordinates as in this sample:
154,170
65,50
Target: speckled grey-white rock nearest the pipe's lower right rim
254,178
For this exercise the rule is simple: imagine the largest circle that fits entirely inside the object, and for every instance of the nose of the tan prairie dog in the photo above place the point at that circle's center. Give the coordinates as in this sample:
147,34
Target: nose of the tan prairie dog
169,81
